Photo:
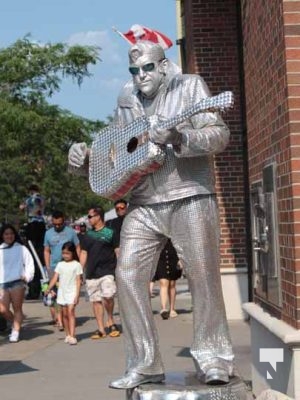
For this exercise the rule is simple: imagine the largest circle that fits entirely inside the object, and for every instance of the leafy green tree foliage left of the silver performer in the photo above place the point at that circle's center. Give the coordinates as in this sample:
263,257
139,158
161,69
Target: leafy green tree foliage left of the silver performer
34,135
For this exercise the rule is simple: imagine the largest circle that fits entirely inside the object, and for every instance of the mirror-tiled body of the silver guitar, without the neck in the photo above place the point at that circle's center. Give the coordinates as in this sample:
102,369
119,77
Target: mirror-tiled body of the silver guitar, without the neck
114,170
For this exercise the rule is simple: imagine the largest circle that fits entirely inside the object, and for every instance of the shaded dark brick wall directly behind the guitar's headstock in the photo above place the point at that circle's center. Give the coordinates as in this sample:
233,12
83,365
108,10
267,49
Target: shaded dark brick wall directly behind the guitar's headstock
212,52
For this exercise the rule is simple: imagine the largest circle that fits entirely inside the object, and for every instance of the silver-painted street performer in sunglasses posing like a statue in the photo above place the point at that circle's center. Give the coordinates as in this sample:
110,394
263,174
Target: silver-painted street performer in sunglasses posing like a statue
177,201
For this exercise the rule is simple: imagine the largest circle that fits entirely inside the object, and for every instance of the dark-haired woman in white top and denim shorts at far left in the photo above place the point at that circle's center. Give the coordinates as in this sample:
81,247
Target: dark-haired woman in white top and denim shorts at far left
16,269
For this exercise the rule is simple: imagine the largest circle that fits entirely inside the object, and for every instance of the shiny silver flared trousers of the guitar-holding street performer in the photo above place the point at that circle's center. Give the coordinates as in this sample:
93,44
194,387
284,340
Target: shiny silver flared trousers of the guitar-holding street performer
193,226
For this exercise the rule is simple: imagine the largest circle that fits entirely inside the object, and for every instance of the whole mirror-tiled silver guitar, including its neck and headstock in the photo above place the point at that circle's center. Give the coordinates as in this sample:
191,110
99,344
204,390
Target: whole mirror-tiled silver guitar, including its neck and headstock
121,155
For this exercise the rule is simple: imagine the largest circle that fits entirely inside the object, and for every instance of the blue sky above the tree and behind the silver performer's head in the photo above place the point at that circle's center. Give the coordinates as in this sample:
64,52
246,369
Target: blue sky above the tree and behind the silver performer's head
88,22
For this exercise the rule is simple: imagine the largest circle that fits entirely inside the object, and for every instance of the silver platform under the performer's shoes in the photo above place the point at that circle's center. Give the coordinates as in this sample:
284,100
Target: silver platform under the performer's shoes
186,386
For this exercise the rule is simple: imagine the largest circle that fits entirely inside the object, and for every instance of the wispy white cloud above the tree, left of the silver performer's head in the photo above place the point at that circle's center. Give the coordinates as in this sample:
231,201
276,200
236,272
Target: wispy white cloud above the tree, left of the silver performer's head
109,49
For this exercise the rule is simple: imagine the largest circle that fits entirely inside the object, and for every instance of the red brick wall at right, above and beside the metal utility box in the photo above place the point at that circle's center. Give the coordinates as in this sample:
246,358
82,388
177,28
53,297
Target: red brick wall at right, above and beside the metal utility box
272,91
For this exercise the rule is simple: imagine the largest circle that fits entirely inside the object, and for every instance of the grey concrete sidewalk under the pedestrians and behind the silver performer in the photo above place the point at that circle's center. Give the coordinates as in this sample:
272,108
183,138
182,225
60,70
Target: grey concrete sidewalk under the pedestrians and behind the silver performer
42,367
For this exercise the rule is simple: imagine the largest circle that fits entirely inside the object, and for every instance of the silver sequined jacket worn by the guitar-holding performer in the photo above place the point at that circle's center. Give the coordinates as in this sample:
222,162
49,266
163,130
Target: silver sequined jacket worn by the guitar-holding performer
189,168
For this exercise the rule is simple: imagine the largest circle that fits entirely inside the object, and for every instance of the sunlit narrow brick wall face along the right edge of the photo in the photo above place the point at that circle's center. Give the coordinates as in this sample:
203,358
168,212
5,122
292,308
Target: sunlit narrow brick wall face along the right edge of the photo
291,268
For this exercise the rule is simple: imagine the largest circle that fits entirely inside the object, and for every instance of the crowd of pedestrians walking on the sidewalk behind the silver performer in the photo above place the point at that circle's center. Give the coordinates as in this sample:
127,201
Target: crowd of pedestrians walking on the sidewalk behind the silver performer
71,258
